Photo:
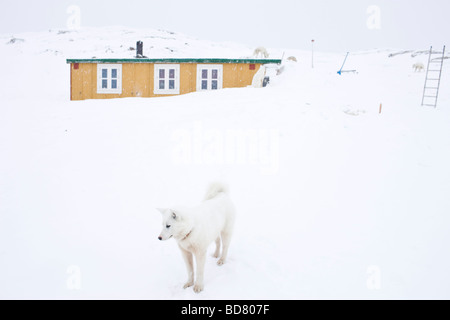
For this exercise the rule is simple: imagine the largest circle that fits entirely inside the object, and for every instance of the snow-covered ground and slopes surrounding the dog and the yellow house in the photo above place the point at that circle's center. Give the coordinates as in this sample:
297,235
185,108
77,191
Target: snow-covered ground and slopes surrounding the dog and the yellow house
334,199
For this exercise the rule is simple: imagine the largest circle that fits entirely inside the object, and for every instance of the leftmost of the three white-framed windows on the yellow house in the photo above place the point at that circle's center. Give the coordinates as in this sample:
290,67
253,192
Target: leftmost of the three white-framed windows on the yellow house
109,78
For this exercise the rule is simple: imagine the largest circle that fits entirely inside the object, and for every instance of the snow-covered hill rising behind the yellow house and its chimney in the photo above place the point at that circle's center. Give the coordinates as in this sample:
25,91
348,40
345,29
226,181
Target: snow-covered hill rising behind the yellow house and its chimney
119,42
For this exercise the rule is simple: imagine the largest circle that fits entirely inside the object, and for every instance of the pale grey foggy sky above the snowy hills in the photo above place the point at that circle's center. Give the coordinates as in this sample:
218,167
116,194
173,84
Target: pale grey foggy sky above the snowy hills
335,25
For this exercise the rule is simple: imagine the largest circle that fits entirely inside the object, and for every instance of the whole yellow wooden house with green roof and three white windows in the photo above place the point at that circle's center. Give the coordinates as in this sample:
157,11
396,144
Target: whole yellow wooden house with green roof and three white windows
143,77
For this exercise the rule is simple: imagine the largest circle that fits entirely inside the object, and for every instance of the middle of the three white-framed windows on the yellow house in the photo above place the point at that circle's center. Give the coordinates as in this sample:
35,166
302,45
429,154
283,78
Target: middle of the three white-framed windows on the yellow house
167,79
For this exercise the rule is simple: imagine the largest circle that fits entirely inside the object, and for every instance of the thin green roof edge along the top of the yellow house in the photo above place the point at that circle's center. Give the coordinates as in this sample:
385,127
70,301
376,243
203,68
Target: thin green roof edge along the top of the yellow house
175,60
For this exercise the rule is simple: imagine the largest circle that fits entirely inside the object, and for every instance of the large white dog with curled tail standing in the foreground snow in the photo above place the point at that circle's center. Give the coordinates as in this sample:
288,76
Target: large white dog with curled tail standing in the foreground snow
196,228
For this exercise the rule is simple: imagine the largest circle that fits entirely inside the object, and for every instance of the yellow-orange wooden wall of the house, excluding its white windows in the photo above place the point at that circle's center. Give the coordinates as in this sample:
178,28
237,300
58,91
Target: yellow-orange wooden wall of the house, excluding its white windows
138,79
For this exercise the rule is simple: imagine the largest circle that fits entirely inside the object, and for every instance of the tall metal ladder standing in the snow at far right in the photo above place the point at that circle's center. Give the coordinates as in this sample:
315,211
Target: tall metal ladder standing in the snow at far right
433,78
